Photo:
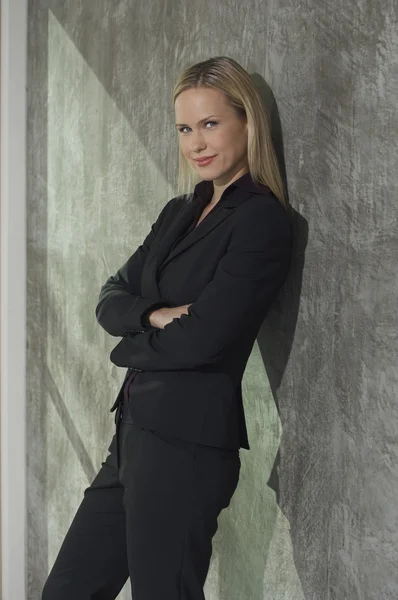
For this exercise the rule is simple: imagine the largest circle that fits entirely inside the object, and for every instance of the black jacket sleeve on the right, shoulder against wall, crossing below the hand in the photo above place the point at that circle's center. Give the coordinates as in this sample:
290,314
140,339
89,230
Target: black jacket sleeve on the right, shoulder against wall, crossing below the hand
244,285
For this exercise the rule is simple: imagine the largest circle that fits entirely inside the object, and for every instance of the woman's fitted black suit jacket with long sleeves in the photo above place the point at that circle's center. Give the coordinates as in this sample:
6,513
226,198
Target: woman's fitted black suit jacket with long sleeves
230,267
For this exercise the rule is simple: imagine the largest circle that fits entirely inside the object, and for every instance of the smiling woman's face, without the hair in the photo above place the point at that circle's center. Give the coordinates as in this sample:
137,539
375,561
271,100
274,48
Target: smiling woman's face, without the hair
208,126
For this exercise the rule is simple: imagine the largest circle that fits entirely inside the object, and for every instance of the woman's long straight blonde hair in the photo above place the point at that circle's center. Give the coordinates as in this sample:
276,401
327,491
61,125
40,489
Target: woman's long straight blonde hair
225,74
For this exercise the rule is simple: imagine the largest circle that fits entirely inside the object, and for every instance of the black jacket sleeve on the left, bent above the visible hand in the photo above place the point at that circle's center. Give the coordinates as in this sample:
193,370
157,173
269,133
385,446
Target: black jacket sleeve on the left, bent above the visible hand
121,308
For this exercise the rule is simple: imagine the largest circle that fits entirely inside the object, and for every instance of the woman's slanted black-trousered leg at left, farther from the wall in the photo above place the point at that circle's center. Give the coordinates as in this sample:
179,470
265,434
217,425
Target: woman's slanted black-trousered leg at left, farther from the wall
92,561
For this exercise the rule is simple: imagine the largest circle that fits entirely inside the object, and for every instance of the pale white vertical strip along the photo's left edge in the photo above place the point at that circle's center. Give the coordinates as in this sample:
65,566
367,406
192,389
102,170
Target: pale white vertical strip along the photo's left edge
13,298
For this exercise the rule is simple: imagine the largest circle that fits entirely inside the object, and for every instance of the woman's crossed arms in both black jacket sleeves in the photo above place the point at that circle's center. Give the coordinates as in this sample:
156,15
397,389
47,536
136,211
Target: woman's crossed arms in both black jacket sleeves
244,285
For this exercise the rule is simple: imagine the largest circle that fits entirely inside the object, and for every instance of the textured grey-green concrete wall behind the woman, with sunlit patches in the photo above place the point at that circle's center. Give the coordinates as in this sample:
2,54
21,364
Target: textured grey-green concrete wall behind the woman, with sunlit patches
319,385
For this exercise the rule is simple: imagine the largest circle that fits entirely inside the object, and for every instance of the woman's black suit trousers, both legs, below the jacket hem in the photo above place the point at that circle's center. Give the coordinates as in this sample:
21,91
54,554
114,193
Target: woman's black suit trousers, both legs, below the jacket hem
149,514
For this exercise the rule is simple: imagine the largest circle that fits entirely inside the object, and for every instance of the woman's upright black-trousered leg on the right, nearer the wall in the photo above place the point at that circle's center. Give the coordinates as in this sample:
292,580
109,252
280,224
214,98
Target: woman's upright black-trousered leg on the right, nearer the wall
174,492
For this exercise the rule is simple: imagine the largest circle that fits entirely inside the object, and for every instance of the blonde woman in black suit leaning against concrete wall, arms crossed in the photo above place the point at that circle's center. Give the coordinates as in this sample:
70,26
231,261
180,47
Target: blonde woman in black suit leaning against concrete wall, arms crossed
188,305
